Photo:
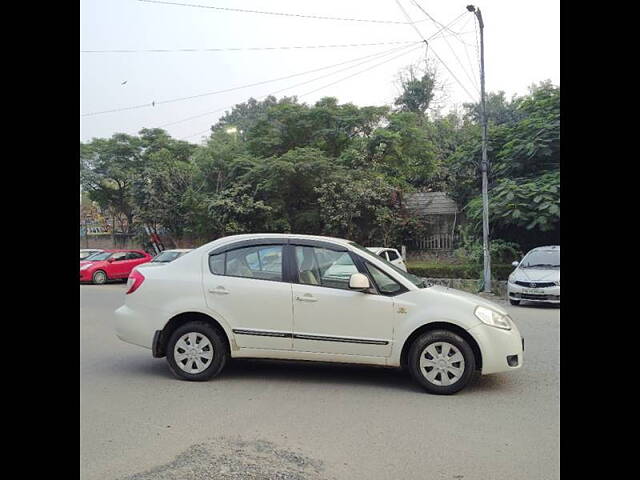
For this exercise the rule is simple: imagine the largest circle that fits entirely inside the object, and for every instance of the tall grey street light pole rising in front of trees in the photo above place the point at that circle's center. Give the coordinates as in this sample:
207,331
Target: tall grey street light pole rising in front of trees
484,164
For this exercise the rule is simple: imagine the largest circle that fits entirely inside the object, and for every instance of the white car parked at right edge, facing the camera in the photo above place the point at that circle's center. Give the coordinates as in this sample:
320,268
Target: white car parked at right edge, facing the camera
537,277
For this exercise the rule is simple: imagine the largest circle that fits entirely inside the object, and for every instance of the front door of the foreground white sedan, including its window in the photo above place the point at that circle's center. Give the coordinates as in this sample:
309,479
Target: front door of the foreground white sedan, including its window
328,317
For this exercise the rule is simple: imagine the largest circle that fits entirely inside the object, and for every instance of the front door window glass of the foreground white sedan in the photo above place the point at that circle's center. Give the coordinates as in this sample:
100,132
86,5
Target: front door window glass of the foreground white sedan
324,267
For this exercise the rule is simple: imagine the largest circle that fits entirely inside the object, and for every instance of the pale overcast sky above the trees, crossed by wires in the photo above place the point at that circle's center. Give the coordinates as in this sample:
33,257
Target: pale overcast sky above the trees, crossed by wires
522,47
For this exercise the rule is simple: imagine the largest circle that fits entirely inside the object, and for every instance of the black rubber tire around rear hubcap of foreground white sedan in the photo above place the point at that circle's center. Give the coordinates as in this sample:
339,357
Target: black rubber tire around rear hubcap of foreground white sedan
215,365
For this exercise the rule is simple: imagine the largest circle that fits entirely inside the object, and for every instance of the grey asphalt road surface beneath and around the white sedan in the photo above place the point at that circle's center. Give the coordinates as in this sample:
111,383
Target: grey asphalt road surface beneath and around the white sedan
270,419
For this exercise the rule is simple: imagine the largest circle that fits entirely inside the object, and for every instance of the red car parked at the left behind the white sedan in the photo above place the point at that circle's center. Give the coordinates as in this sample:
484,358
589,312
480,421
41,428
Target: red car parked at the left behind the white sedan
111,265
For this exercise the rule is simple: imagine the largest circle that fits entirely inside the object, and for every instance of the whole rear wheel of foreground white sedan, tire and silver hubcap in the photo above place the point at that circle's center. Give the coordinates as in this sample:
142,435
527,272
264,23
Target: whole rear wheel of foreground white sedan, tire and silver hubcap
196,352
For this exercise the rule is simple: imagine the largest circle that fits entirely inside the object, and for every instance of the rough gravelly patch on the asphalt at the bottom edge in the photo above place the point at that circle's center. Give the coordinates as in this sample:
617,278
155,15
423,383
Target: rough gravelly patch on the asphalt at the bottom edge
234,459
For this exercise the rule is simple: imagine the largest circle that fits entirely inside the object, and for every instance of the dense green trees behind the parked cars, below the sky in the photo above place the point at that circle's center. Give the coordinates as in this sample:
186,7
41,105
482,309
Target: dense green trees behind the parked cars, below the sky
279,165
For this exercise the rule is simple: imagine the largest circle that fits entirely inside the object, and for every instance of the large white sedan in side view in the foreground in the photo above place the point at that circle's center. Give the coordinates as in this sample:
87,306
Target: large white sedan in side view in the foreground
301,297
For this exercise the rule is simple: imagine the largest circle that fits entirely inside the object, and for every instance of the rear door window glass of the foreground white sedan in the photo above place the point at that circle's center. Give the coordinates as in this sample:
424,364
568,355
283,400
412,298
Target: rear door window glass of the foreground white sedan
263,262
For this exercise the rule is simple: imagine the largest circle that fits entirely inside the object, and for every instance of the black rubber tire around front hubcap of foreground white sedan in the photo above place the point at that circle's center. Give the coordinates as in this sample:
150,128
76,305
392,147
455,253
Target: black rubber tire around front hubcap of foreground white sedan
425,340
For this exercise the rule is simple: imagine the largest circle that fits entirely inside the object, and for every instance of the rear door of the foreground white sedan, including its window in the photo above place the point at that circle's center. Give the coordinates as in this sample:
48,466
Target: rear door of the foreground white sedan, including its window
247,286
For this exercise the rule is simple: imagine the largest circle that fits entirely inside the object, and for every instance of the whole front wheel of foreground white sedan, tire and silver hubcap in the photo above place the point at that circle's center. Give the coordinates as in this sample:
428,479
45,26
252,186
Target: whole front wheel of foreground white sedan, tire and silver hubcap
441,361
